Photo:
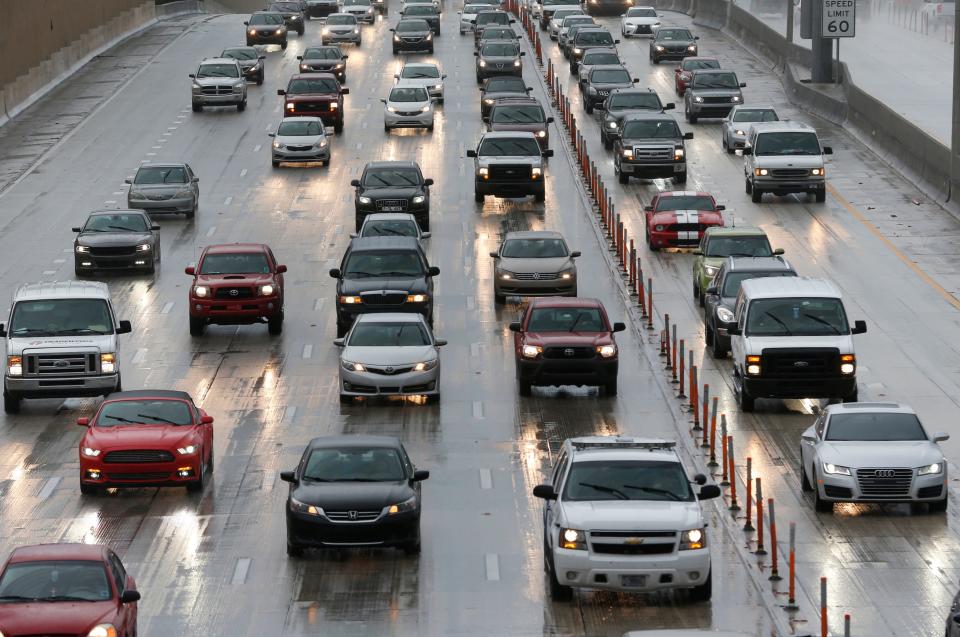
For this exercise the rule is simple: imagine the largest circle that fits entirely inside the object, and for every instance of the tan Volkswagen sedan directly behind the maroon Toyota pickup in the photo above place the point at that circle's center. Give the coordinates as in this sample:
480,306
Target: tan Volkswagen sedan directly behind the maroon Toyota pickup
534,263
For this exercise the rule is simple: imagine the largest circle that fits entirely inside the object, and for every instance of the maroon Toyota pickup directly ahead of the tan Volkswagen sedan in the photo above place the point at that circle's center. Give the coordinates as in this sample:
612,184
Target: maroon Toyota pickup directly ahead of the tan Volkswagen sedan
566,341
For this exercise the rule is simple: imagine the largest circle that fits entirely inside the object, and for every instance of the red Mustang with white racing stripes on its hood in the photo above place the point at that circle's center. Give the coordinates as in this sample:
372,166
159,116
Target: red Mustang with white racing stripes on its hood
679,219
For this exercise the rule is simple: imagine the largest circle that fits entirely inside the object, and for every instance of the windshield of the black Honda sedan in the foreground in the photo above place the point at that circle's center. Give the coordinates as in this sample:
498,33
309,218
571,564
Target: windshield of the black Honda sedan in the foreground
354,464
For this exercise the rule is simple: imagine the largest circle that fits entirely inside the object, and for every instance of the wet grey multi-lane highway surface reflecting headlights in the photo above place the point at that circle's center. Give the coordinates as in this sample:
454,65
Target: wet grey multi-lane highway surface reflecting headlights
215,563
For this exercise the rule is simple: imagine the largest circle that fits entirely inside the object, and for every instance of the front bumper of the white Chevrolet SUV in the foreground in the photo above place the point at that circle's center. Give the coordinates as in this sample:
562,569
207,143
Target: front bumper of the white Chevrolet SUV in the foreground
583,569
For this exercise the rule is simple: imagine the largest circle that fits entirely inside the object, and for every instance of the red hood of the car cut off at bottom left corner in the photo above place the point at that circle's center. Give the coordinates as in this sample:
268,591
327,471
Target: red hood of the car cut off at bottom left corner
43,618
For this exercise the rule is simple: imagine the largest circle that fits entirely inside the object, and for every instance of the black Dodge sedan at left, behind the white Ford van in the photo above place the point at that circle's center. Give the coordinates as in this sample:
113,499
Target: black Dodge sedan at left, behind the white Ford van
116,240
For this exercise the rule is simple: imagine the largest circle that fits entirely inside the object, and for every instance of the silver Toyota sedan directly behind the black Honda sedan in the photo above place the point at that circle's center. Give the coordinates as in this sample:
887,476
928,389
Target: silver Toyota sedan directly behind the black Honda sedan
389,354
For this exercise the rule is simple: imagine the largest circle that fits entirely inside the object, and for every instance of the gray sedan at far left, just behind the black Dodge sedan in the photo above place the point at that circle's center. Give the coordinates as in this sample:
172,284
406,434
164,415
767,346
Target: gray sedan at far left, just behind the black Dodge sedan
170,188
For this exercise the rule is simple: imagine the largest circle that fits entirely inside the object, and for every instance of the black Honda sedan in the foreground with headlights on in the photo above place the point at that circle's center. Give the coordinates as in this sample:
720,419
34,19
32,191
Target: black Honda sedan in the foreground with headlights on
354,491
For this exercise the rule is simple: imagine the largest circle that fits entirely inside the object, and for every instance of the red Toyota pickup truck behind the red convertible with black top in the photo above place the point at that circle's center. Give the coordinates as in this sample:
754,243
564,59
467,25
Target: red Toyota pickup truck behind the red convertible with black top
236,284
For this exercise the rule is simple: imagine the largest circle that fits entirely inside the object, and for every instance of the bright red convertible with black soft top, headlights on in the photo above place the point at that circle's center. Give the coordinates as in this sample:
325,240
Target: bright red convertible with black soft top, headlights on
148,438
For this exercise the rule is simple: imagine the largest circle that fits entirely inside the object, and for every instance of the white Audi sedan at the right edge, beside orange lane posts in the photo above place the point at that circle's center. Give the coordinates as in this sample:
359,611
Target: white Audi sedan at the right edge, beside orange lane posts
872,452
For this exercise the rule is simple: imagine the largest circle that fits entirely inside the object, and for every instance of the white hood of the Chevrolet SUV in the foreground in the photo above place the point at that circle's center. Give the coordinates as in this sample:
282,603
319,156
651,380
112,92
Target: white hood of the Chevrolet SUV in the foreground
632,515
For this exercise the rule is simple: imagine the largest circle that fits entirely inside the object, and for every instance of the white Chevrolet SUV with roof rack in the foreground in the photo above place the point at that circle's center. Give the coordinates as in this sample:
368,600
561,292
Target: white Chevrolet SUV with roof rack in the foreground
621,514
